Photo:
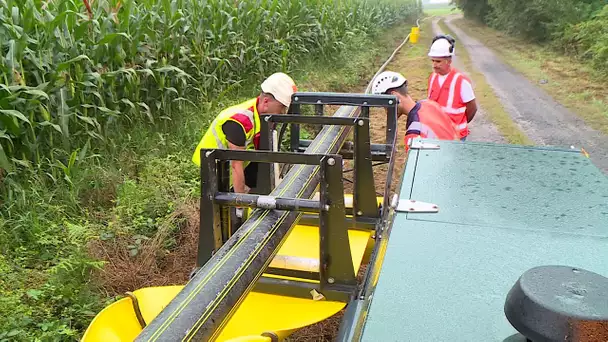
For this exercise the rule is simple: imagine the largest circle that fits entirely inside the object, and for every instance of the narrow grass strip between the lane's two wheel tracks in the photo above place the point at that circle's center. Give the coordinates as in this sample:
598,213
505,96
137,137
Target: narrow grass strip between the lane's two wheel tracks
488,100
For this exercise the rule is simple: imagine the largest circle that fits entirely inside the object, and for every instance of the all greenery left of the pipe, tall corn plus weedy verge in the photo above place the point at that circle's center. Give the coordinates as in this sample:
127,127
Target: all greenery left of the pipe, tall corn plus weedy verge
101,106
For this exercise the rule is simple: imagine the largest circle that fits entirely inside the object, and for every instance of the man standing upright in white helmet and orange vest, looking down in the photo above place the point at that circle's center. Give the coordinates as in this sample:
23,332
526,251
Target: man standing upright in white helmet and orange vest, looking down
449,87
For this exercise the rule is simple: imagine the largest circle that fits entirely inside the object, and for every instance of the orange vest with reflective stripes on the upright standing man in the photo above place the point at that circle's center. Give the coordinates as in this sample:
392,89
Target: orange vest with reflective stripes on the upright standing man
448,96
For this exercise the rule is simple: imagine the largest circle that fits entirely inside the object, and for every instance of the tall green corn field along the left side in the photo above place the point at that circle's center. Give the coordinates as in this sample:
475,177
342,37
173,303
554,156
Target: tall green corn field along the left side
73,71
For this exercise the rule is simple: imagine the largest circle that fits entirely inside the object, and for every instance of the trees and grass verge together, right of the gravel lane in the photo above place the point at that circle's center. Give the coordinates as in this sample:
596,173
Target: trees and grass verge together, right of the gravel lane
561,45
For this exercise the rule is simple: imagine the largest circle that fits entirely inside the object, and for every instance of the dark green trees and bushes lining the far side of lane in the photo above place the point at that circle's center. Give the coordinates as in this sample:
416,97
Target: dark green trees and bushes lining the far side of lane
575,27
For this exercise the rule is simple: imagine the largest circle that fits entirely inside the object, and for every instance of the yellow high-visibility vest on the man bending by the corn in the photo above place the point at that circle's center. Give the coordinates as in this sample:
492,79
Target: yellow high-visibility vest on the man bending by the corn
246,115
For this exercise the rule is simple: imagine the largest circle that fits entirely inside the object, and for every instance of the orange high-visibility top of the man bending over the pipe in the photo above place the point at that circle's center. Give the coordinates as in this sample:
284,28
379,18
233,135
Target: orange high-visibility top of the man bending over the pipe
428,120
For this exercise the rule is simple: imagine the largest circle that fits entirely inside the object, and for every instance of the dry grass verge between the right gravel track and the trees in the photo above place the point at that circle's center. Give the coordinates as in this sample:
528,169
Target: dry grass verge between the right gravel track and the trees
577,86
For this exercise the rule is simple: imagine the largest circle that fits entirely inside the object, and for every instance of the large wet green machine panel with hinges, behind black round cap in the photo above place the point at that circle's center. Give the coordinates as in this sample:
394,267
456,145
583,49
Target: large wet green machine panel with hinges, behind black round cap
503,209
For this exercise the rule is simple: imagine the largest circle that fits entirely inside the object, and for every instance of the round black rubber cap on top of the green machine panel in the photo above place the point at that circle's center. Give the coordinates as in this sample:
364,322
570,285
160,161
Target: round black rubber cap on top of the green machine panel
558,303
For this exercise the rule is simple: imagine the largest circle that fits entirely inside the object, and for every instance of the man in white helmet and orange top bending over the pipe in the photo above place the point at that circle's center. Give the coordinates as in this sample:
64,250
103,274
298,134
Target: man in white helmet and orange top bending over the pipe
425,118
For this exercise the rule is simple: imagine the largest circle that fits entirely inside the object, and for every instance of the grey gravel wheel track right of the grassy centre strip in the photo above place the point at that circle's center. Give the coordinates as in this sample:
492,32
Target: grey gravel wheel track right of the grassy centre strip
544,120
